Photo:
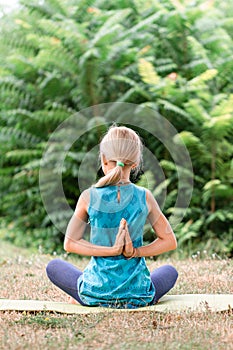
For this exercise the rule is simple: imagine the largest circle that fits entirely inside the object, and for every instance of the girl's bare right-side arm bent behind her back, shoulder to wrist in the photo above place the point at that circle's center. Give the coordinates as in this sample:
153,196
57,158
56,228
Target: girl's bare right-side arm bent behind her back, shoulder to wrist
166,239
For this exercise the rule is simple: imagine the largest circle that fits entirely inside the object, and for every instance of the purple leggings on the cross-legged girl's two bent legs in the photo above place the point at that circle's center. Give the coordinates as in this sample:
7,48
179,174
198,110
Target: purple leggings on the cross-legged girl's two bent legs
64,275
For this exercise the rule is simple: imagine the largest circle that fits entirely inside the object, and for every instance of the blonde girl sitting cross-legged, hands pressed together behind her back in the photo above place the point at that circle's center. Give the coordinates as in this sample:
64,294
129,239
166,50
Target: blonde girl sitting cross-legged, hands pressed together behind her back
117,274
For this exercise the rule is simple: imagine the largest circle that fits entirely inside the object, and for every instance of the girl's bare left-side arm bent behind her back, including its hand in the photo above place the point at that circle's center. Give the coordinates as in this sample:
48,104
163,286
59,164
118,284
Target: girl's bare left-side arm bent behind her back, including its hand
74,242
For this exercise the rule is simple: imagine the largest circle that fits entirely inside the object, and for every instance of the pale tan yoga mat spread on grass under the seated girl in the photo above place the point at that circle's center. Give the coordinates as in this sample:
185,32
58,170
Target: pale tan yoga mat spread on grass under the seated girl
169,303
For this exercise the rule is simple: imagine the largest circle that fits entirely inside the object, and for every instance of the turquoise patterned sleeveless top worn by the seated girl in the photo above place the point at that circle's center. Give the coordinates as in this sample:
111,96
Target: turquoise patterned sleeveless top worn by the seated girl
116,281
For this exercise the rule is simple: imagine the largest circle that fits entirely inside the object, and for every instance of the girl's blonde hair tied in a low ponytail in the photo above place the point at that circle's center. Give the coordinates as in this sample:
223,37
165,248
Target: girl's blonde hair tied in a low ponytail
120,144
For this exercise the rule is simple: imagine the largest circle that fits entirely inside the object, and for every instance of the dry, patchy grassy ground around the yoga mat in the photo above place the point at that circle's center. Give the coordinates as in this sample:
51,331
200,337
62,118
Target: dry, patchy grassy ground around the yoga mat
23,277
